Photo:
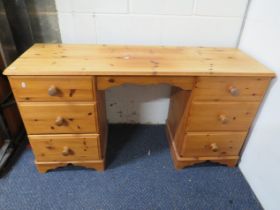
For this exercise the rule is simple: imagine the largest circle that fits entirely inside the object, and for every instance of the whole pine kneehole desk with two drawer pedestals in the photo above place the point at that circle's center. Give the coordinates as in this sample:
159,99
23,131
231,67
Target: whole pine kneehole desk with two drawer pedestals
60,93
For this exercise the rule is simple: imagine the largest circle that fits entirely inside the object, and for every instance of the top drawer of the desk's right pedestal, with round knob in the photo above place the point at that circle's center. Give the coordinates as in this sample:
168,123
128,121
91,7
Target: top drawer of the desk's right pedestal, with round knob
230,88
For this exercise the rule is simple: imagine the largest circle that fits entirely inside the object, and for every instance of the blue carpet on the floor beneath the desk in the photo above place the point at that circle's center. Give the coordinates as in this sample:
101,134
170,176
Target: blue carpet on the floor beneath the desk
140,175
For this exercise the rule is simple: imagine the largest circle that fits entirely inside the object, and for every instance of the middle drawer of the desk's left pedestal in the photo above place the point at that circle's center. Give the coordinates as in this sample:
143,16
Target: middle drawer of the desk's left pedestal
59,117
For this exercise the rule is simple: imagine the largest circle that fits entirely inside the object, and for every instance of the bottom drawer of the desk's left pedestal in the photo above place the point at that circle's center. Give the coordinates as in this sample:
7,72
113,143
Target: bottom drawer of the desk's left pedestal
65,147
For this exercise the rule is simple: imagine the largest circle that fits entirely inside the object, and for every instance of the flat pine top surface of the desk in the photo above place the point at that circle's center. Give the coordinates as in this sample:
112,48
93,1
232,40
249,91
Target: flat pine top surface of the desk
67,59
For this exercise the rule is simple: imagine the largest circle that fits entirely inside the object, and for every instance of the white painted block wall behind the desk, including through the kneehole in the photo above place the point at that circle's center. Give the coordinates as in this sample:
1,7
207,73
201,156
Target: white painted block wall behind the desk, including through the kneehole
149,22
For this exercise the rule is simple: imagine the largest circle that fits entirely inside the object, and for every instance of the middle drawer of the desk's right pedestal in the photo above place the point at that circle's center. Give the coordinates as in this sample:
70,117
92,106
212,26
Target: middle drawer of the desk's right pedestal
227,116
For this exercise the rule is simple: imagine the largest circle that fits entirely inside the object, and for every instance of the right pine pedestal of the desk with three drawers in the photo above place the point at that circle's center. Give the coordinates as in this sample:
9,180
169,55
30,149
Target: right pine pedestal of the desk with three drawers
211,122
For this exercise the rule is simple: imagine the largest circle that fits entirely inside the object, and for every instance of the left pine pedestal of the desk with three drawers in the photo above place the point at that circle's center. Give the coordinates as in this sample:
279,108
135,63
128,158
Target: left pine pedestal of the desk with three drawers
65,119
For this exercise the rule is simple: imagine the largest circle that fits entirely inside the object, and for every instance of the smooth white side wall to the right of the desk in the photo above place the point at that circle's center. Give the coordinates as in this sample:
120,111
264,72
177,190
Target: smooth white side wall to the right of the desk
260,162
